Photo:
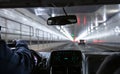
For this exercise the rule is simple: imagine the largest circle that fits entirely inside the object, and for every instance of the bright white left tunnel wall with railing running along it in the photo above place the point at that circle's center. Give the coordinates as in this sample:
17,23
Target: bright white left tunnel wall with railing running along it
18,26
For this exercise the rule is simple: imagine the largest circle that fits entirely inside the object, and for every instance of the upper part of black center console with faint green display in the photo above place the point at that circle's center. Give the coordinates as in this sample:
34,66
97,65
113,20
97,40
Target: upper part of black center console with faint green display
64,57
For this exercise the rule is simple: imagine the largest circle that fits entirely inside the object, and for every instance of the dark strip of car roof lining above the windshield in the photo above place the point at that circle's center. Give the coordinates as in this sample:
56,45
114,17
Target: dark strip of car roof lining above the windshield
52,3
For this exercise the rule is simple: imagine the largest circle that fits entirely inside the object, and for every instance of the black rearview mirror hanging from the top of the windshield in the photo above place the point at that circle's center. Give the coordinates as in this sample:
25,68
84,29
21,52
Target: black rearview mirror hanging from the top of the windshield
62,20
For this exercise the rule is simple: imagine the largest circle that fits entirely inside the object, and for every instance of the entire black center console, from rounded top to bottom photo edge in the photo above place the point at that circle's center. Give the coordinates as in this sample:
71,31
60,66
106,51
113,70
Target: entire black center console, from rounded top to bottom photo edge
66,62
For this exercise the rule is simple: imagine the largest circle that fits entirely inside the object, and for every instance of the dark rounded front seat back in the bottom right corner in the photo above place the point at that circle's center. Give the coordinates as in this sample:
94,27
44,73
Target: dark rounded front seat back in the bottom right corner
111,65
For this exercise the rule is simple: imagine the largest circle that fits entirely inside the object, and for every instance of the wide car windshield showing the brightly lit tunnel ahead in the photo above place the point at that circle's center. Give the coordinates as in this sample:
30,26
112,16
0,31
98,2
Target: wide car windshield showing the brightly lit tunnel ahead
96,24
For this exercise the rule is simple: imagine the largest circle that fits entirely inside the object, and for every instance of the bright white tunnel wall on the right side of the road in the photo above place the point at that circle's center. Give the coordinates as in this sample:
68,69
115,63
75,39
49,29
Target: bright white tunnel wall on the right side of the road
107,33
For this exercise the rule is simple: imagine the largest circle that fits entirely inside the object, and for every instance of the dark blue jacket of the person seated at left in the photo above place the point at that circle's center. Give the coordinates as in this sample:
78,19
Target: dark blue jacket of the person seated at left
15,62
